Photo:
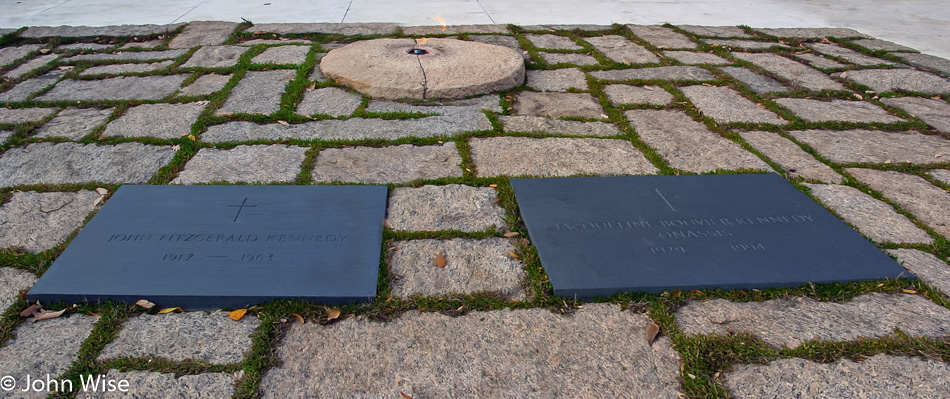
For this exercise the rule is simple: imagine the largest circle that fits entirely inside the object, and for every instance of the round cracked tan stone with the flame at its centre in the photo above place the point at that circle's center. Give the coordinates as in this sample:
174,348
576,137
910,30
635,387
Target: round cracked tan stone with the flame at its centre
383,68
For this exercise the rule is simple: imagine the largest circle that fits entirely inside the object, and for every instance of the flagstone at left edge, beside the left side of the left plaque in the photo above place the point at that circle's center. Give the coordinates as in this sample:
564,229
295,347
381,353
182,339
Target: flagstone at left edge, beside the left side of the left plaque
39,221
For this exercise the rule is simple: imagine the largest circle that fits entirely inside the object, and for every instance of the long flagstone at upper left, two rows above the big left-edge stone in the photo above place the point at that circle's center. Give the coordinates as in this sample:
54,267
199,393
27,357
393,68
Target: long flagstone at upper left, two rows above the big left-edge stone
119,88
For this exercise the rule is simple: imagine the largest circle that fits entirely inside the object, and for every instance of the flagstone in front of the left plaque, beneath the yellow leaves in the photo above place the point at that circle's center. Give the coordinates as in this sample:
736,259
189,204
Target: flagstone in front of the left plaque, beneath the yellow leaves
208,337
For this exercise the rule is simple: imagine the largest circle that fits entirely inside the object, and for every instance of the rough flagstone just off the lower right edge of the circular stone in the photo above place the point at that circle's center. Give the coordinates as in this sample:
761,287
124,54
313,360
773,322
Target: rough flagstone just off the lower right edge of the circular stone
558,104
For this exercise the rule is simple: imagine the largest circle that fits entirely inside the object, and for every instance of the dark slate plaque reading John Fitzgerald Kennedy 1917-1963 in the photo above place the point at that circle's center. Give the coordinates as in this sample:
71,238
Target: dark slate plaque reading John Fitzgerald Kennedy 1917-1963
205,247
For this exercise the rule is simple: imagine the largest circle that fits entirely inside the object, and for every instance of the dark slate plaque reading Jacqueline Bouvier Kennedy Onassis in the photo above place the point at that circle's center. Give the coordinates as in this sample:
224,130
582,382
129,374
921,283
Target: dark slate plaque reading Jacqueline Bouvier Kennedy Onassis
599,236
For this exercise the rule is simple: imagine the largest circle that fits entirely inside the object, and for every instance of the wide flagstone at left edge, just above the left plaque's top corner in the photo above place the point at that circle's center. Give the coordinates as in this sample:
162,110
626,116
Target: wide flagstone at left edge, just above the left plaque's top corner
64,163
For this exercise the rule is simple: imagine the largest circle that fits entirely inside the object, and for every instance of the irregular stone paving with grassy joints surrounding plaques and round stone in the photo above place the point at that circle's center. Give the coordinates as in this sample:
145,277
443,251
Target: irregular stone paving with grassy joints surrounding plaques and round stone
860,124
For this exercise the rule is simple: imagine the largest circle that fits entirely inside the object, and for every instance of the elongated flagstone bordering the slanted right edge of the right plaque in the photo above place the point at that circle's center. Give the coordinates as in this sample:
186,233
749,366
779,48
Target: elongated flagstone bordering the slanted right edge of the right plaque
873,218
